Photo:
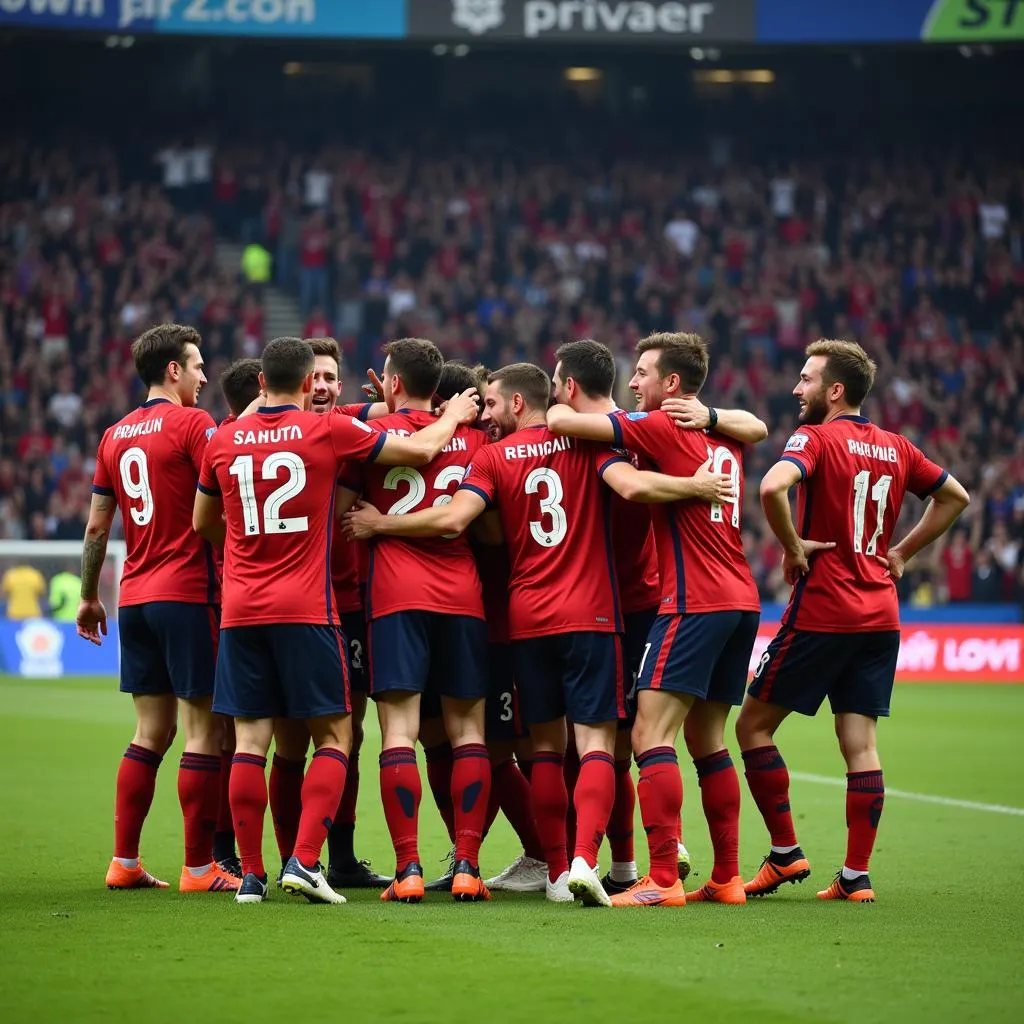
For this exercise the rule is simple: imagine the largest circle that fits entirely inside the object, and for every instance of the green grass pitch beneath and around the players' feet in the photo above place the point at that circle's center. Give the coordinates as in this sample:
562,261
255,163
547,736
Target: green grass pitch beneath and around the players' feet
944,944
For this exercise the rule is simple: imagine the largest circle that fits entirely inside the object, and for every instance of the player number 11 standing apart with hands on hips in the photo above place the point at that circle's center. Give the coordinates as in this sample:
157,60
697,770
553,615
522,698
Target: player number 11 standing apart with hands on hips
840,633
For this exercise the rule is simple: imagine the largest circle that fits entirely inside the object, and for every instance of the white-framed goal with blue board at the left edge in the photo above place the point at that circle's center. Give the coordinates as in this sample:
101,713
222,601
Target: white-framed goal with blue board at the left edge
39,595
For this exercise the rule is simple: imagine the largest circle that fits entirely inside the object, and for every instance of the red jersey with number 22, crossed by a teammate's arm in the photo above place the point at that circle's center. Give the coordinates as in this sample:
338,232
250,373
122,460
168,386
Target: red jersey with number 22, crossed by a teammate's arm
434,574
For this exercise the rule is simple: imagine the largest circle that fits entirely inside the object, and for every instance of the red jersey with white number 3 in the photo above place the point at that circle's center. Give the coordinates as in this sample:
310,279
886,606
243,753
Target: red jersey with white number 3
557,519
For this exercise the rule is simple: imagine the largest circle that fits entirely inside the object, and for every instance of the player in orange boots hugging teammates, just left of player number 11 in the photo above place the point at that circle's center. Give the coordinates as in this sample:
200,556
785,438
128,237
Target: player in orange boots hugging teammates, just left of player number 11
696,659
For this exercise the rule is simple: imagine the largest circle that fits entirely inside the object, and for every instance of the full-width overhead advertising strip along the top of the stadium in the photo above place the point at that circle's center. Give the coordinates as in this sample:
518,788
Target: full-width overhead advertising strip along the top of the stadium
616,22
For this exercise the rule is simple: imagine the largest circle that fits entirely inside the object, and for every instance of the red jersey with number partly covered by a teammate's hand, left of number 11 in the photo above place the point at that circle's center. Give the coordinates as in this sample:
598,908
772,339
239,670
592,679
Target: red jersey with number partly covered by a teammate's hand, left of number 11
700,550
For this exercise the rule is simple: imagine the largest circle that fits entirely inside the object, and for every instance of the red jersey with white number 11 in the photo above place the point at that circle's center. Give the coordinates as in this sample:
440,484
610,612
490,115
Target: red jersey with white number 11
856,477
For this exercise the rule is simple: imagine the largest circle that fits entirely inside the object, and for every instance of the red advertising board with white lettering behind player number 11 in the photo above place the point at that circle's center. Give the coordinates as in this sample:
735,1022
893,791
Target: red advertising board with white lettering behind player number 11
944,654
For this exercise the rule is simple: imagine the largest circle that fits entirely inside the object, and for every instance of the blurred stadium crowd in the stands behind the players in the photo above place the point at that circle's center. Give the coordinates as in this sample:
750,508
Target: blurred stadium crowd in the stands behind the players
501,260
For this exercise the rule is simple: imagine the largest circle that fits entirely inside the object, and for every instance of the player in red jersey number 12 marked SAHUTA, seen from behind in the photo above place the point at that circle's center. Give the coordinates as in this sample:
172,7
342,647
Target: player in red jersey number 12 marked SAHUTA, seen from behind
272,478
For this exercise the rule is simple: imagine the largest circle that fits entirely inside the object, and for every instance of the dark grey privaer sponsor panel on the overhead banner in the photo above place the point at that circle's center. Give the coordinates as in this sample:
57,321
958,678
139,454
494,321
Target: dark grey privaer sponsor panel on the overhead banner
635,21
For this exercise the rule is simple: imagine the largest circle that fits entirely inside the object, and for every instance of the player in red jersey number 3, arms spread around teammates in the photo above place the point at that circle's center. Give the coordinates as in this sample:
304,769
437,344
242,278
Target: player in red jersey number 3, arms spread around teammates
565,613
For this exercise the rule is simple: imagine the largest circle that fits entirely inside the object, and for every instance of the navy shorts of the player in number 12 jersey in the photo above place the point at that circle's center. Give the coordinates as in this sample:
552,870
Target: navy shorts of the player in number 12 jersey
289,670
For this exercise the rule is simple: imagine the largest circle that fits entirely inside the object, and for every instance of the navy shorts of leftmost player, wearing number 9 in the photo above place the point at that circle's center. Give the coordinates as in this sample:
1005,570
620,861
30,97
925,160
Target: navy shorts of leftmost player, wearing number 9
169,648
